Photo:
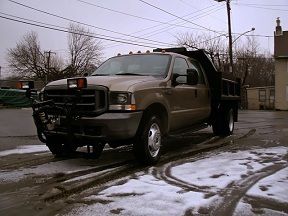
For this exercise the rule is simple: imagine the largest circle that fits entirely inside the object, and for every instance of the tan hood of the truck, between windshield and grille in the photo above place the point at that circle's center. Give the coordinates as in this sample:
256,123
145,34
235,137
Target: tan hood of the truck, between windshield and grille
114,83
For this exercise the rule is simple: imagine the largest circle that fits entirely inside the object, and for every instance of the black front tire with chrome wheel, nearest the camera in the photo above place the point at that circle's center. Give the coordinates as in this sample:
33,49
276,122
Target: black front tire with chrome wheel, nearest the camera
148,141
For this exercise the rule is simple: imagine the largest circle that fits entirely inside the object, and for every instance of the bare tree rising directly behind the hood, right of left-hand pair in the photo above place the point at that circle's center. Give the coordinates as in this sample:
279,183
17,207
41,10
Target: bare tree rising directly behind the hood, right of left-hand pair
84,50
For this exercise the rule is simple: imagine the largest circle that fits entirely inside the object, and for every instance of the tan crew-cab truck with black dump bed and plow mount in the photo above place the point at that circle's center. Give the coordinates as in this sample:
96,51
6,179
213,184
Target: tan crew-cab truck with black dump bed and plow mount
137,99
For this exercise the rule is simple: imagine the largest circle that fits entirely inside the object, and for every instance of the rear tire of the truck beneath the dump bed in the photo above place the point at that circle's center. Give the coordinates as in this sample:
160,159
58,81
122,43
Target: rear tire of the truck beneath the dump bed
224,123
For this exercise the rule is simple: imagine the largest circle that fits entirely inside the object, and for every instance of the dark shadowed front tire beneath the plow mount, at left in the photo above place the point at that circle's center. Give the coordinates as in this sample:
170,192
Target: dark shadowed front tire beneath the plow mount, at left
59,149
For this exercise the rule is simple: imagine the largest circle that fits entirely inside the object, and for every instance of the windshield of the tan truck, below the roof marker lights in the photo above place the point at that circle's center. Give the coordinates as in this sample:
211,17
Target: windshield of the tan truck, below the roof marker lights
142,65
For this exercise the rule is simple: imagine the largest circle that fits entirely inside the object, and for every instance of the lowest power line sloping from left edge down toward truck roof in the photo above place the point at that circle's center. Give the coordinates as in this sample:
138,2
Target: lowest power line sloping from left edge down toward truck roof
84,34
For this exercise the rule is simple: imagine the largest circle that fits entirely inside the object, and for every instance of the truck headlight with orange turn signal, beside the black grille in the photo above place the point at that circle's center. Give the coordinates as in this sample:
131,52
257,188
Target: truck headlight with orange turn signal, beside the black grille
121,101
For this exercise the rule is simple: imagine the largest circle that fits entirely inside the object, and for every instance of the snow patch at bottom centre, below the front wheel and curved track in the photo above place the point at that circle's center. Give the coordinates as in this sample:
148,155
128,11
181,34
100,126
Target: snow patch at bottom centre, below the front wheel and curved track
143,196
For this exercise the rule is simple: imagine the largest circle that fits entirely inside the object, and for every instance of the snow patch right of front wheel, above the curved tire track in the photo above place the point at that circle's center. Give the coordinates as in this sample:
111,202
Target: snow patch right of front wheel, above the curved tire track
226,167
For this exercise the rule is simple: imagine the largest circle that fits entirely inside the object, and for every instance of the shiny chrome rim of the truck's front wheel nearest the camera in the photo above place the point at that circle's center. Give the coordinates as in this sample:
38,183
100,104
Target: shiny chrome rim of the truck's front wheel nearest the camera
154,140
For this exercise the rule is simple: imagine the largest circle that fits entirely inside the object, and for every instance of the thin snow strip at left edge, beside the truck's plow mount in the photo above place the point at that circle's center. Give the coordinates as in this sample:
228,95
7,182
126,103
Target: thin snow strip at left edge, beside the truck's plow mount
25,149
